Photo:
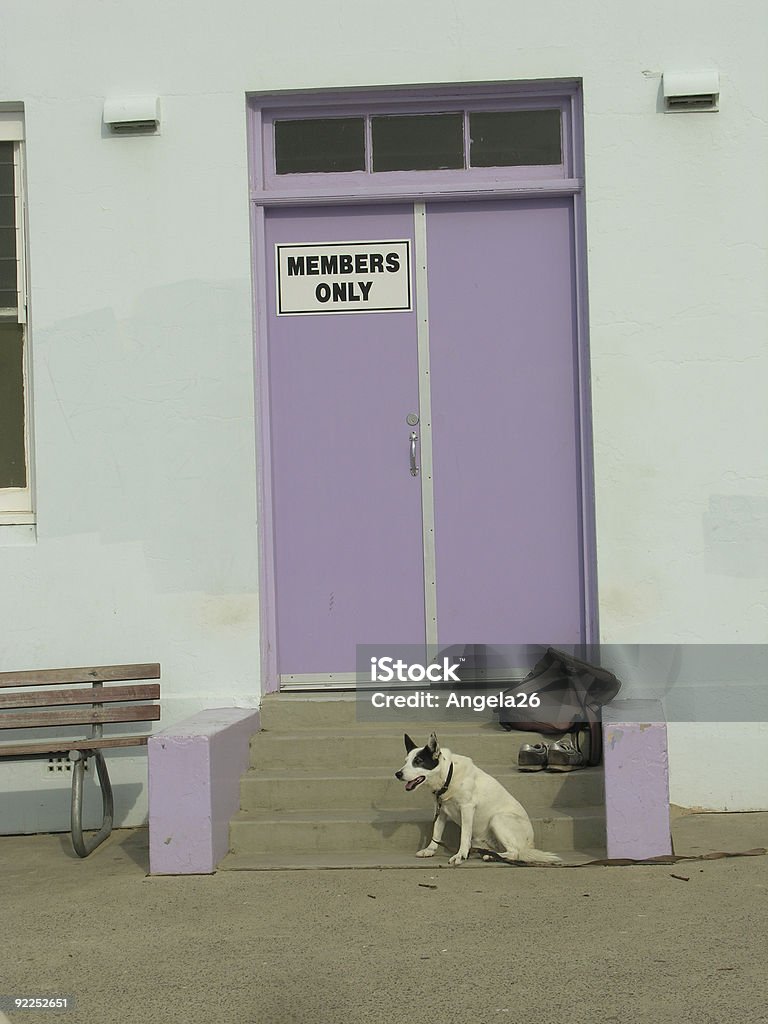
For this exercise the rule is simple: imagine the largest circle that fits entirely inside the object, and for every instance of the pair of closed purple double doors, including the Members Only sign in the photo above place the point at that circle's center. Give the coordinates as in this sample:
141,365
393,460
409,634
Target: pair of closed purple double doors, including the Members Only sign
504,506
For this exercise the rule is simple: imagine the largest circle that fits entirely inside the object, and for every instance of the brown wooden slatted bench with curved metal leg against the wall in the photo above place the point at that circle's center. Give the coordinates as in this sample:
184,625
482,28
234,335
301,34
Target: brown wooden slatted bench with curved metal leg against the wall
80,698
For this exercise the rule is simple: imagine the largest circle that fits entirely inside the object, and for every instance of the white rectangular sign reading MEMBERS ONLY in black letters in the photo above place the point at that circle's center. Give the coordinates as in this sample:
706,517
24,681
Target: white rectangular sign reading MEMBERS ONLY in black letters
344,278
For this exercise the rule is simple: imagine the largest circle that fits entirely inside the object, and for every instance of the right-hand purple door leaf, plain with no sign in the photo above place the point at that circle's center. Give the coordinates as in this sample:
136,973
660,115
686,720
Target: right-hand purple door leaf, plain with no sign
507,465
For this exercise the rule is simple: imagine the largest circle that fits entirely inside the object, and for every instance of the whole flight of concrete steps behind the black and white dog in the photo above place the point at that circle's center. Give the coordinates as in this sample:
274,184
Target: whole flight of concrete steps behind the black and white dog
321,791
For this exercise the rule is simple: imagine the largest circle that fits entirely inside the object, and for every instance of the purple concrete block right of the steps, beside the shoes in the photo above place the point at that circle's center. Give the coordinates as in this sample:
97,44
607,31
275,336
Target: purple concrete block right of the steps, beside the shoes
637,781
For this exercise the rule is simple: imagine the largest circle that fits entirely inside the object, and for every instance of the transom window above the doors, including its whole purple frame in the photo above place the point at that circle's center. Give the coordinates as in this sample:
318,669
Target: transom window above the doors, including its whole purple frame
379,145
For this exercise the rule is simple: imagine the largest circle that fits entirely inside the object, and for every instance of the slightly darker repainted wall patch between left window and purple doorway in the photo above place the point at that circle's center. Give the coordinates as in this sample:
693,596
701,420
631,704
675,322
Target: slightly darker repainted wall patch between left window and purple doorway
152,416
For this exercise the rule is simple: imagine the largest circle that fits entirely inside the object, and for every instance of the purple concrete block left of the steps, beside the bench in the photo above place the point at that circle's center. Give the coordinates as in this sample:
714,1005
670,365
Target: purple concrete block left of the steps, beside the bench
195,773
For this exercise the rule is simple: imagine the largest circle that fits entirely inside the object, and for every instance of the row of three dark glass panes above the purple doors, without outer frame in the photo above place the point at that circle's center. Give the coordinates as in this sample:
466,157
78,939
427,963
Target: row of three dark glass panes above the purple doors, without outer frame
445,141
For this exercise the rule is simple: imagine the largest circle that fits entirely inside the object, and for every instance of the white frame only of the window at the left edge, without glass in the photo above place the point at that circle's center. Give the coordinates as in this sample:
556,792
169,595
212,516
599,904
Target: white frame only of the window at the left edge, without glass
17,505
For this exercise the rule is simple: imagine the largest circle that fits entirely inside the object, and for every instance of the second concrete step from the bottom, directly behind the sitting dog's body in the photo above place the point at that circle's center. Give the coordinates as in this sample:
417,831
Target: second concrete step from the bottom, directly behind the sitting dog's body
369,789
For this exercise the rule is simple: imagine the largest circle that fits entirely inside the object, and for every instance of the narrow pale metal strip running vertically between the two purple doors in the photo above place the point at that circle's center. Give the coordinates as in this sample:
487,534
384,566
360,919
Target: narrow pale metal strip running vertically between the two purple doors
425,423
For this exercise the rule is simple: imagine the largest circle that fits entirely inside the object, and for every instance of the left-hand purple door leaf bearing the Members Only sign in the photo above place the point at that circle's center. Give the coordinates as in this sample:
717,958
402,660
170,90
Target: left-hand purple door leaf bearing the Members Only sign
348,513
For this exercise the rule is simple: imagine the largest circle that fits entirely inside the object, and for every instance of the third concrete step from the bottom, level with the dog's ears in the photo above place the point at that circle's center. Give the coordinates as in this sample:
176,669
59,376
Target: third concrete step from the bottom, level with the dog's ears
373,747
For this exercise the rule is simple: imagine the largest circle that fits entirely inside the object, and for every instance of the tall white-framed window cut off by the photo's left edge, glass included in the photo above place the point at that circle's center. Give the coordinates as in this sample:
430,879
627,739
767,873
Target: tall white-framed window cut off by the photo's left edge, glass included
16,492
